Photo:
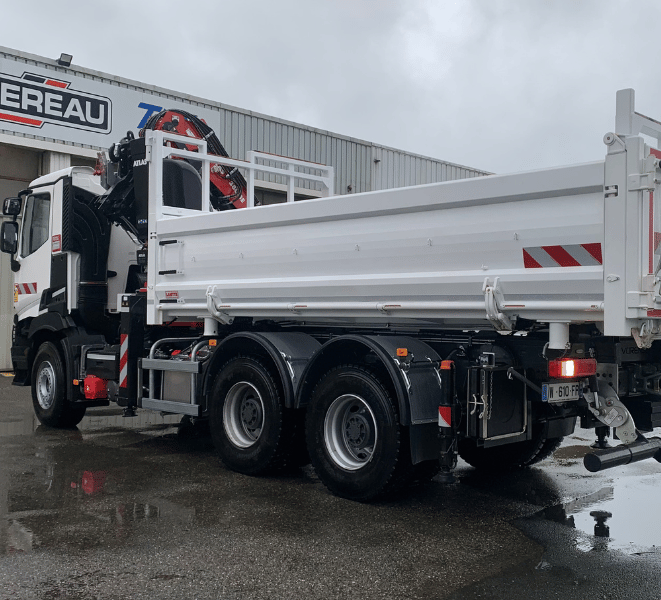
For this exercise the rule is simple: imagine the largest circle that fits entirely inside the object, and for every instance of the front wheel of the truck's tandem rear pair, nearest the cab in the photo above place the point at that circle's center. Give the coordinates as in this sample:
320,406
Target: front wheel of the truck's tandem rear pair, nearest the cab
252,432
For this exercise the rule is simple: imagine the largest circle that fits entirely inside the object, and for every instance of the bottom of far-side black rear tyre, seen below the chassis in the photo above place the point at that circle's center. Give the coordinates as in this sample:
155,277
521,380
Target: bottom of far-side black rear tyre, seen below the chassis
510,456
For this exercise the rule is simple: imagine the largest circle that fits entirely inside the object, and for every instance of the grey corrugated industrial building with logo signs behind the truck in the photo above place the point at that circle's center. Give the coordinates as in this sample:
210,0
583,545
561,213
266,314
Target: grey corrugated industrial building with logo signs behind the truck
54,115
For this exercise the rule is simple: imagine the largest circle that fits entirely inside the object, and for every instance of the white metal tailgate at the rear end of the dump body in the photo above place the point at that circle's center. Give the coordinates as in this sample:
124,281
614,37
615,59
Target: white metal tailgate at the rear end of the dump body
632,227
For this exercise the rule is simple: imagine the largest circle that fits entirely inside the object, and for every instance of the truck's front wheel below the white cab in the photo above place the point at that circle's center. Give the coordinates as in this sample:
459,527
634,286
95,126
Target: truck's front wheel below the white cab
49,390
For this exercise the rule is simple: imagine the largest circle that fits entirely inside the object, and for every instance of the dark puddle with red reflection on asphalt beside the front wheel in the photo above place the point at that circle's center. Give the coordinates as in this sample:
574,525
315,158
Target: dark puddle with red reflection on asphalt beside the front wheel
78,488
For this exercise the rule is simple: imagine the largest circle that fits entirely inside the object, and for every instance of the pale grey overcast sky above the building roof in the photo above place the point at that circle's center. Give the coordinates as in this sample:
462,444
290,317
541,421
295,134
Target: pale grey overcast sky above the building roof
499,85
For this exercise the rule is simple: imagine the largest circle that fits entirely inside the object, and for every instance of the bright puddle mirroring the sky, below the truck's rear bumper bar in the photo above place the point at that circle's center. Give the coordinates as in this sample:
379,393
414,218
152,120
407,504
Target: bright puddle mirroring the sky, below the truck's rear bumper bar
621,516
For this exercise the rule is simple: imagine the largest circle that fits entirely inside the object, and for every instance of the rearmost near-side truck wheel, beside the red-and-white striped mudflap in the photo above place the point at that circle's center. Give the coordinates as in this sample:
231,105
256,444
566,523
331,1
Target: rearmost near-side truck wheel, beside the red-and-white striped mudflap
355,442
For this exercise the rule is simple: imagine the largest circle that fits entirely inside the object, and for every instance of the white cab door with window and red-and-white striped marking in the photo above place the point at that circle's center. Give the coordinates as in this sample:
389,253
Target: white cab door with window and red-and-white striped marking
34,253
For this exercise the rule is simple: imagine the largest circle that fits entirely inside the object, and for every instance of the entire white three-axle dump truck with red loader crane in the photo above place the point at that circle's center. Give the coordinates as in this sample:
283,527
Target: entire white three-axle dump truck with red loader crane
377,335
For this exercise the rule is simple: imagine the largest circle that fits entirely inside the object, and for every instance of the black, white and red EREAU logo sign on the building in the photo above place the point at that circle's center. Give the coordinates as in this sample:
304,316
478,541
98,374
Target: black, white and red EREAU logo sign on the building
33,100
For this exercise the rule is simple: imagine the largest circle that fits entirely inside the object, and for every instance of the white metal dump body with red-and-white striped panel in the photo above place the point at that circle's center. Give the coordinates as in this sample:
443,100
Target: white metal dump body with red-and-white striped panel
474,253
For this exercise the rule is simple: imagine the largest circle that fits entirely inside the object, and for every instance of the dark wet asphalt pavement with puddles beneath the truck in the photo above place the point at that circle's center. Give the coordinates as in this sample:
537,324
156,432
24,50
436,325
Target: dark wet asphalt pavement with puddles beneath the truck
135,508
